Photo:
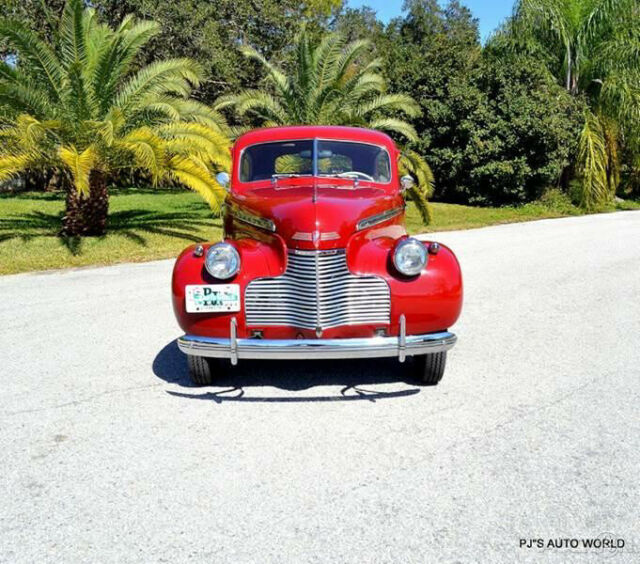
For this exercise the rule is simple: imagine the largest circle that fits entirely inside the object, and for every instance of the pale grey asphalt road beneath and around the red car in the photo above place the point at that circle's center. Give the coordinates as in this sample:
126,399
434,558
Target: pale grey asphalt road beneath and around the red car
107,454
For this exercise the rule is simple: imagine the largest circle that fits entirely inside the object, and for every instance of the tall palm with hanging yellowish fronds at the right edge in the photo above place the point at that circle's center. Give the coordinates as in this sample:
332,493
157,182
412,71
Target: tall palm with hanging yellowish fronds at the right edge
592,47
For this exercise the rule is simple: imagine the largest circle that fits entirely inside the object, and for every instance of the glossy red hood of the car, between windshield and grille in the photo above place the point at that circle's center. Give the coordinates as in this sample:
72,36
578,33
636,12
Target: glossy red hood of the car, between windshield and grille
324,222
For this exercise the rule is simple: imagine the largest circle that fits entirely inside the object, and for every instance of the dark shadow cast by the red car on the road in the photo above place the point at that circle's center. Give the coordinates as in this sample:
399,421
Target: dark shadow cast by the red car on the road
353,377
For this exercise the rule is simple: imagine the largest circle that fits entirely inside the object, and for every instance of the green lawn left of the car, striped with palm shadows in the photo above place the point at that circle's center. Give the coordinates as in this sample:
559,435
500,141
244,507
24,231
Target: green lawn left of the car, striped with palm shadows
143,225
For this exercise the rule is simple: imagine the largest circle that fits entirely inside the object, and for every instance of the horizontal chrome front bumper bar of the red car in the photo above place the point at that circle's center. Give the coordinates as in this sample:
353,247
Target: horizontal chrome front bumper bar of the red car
374,347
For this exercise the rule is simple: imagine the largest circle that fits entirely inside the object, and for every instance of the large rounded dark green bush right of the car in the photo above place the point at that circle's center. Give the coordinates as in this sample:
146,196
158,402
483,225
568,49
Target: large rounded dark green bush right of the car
509,134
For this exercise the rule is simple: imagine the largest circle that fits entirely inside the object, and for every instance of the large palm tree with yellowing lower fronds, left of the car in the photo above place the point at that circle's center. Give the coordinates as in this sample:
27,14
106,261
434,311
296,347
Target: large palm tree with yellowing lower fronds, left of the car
82,107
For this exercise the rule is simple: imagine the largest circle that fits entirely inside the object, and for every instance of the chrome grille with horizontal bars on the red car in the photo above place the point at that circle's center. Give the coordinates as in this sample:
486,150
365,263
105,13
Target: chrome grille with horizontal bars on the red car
317,291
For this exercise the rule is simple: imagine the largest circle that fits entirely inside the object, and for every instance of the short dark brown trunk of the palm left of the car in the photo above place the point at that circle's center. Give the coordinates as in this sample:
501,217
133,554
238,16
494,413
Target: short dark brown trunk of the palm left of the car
87,214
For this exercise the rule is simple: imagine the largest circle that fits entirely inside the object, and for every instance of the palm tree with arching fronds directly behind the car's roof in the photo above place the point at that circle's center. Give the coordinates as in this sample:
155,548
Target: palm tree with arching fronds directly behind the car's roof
334,83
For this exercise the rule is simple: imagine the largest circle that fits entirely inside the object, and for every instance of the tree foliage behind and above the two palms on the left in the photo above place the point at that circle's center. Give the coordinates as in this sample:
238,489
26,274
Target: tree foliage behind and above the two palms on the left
207,31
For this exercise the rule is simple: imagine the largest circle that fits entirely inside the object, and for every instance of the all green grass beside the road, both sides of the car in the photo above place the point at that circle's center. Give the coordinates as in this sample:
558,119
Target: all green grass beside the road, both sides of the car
153,224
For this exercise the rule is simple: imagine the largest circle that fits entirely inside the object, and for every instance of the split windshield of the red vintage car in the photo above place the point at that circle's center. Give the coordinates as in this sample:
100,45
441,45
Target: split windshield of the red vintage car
337,159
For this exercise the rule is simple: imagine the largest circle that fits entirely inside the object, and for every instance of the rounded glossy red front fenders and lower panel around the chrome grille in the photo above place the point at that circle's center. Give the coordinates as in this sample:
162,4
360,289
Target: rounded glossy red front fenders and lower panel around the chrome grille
431,301
